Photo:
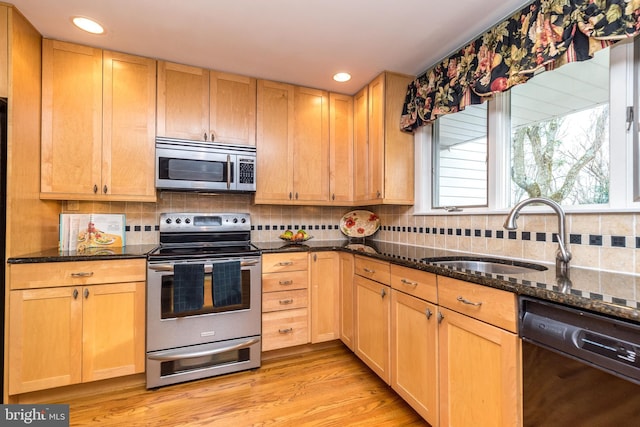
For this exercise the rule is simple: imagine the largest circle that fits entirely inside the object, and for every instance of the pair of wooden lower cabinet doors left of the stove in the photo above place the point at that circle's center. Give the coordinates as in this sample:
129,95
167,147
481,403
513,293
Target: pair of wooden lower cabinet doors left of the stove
72,334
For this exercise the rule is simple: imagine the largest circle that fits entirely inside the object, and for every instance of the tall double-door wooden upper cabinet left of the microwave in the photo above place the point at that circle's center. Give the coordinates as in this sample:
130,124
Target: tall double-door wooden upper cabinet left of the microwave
98,124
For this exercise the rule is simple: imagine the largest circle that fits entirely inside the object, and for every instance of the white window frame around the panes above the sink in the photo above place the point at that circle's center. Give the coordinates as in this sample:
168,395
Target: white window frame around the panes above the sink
624,146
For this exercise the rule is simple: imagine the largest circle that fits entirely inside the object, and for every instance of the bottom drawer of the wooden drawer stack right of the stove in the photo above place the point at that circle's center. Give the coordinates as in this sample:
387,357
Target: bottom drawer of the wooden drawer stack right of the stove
285,329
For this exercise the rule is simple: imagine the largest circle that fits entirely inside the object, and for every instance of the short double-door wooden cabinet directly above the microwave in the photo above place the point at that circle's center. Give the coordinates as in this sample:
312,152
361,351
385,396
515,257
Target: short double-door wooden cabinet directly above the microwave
203,105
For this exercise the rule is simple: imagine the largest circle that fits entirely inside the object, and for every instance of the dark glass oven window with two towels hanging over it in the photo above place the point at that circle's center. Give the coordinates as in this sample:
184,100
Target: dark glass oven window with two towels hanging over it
190,291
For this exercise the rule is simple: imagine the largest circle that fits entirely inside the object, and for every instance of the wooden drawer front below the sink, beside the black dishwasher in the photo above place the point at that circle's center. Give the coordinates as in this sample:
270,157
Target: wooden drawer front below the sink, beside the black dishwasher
490,305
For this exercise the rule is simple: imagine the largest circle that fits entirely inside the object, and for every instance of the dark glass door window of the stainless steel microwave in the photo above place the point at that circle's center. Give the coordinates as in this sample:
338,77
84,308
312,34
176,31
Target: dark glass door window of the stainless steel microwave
193,170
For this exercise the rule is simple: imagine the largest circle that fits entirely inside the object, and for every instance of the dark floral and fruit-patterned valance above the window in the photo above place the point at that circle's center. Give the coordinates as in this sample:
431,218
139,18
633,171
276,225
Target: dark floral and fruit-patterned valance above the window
547,33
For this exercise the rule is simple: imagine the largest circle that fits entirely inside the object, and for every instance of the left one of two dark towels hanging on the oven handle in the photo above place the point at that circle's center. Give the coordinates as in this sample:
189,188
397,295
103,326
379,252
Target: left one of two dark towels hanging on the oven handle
188,287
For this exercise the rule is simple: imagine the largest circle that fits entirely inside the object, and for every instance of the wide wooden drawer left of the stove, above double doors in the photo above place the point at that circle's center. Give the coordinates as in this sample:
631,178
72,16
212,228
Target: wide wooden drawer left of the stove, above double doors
51,274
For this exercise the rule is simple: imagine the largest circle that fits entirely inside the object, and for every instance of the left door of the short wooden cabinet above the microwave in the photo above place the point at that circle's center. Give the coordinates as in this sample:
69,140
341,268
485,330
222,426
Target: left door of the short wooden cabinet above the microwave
183,101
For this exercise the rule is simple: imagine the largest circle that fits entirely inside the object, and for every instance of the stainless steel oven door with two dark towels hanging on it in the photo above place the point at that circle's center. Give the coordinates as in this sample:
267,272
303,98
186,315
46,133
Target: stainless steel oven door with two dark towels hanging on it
219,309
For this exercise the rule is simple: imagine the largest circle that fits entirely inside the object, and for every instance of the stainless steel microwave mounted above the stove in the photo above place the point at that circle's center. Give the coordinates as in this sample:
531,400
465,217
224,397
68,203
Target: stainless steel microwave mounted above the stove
204,166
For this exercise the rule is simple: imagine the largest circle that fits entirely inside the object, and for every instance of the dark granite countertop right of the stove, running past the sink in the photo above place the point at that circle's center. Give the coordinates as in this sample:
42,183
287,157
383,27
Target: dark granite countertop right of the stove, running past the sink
609,293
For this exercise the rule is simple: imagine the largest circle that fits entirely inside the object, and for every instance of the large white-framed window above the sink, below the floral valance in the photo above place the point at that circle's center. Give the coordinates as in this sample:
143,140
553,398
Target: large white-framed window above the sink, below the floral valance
554,136
